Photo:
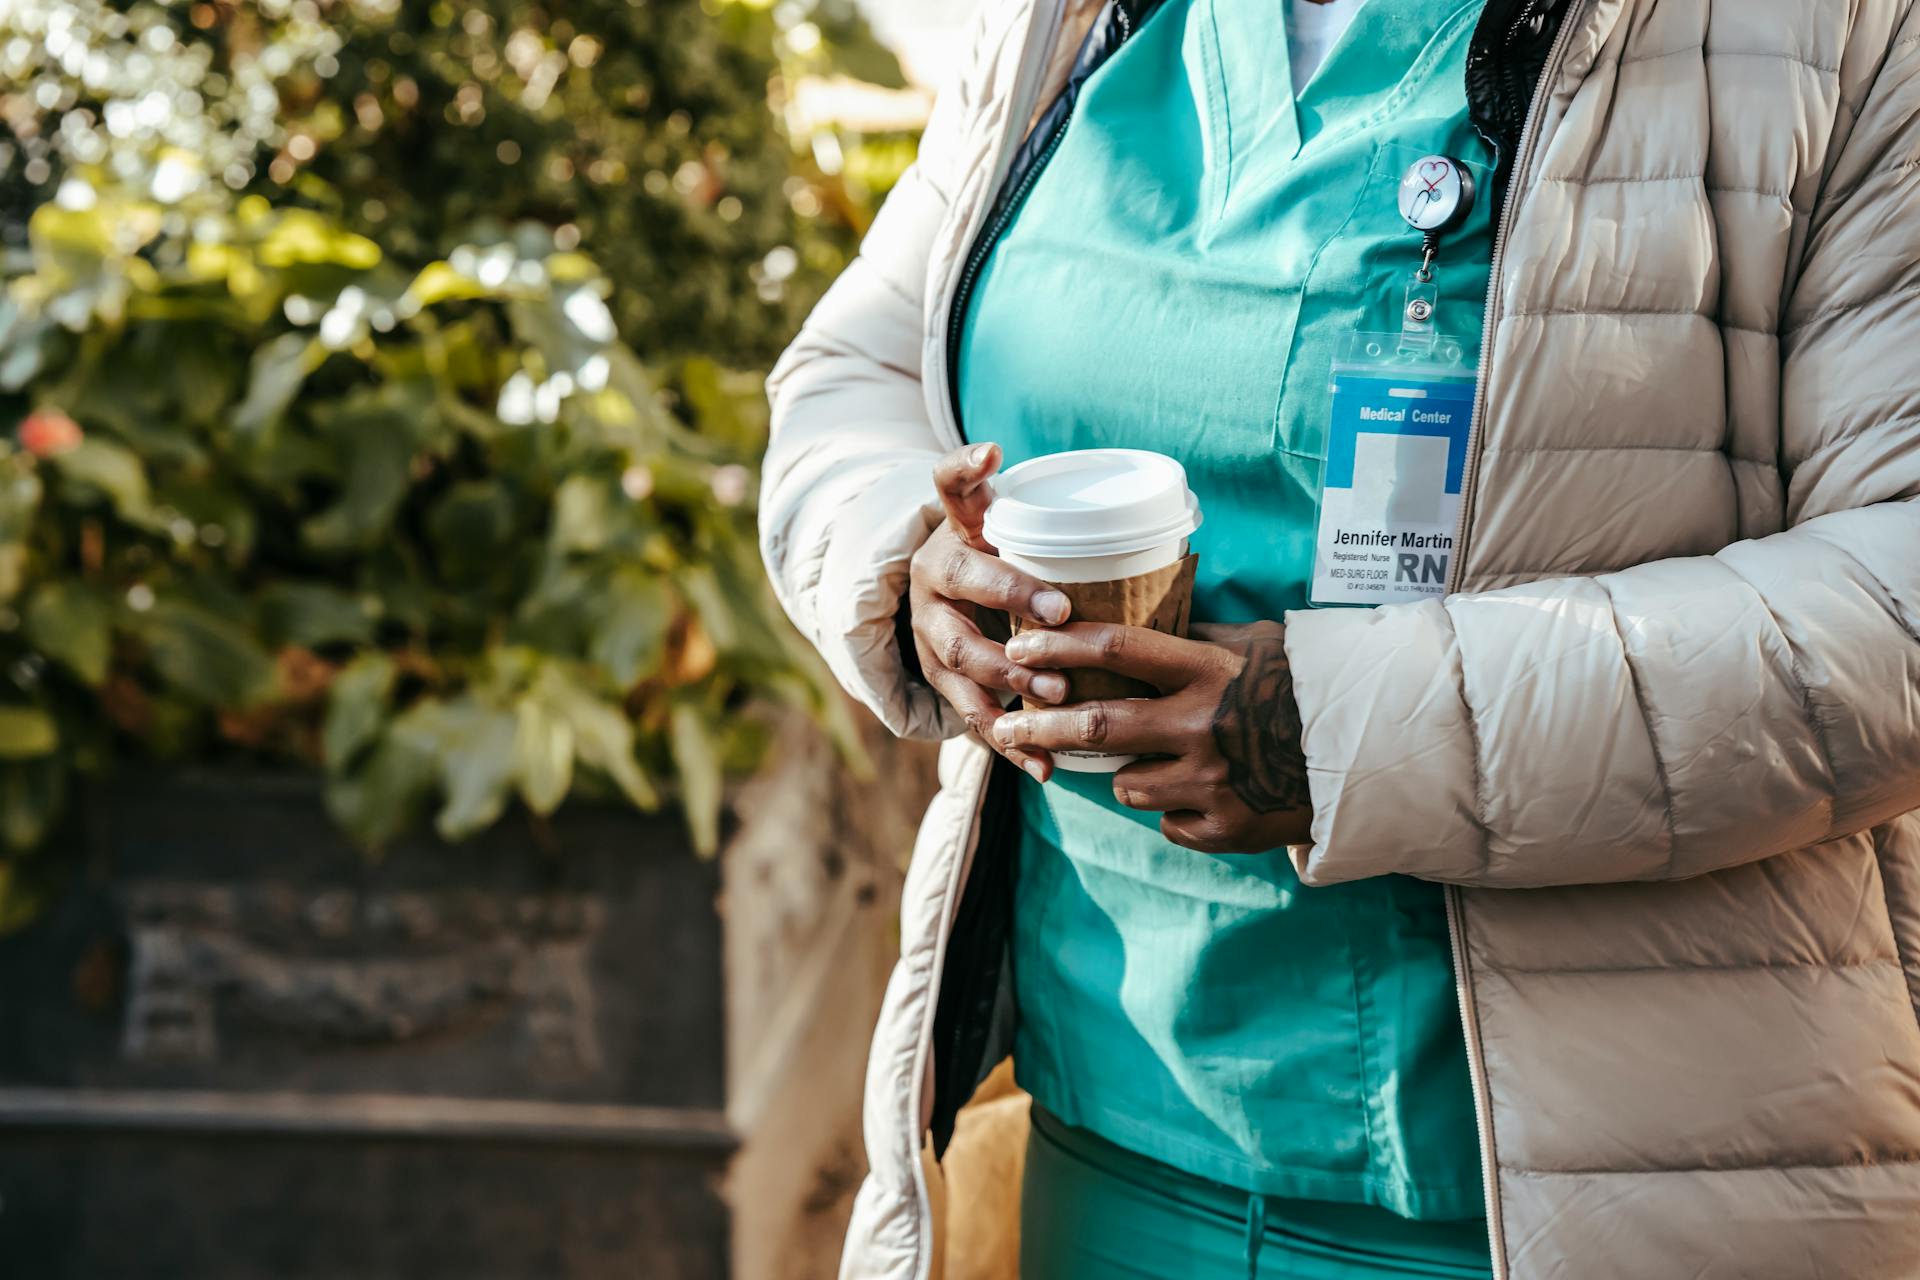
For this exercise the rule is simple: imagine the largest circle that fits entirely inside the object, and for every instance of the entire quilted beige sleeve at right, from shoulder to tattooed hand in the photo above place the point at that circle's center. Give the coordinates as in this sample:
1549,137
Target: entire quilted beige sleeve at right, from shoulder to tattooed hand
1687,715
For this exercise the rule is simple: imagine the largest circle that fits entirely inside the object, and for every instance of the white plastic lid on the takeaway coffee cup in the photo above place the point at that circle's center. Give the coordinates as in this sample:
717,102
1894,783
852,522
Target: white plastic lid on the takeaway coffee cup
1092,502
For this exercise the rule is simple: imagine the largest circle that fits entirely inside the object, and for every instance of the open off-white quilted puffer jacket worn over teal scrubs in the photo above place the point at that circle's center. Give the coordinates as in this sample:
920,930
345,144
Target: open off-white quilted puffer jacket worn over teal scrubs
1666,740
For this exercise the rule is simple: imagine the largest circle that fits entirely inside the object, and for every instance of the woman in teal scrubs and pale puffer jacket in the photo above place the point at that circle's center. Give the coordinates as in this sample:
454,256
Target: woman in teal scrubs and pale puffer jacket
1673,692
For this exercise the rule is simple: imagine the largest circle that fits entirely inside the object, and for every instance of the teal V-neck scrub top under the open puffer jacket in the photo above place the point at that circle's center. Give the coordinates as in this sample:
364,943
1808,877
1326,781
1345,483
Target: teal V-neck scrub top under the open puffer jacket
1178,279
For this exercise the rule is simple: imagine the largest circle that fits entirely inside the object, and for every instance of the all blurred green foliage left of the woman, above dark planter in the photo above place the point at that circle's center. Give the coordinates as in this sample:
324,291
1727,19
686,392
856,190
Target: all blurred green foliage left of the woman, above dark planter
385,385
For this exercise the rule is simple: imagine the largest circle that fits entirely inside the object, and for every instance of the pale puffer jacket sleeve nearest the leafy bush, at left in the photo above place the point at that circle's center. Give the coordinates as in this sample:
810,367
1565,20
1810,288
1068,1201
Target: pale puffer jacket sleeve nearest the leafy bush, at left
848,485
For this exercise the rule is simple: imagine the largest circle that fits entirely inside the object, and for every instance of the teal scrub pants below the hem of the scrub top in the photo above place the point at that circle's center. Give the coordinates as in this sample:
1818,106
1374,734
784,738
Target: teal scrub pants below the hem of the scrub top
1095,1212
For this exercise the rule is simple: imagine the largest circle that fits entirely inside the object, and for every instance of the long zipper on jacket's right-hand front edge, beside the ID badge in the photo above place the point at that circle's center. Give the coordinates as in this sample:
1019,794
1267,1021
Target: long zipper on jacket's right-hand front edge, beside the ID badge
1454,914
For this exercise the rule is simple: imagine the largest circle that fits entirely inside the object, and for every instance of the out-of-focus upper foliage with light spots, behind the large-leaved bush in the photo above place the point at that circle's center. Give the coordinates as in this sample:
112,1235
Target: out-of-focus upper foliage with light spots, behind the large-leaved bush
638,130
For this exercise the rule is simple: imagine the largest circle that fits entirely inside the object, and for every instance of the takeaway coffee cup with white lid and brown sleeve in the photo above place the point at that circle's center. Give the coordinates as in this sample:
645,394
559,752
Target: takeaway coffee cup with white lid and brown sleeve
1109,529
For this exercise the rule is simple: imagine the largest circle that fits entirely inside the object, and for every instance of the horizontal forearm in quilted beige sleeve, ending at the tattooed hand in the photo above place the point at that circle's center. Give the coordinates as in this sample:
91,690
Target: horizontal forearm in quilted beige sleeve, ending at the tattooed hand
1650,724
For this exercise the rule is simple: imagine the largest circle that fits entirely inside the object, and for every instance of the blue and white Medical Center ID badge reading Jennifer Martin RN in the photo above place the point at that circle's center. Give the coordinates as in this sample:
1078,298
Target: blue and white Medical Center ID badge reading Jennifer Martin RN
1391,486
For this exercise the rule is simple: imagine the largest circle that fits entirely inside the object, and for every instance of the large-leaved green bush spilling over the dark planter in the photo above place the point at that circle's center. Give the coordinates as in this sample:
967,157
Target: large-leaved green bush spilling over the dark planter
437,533
